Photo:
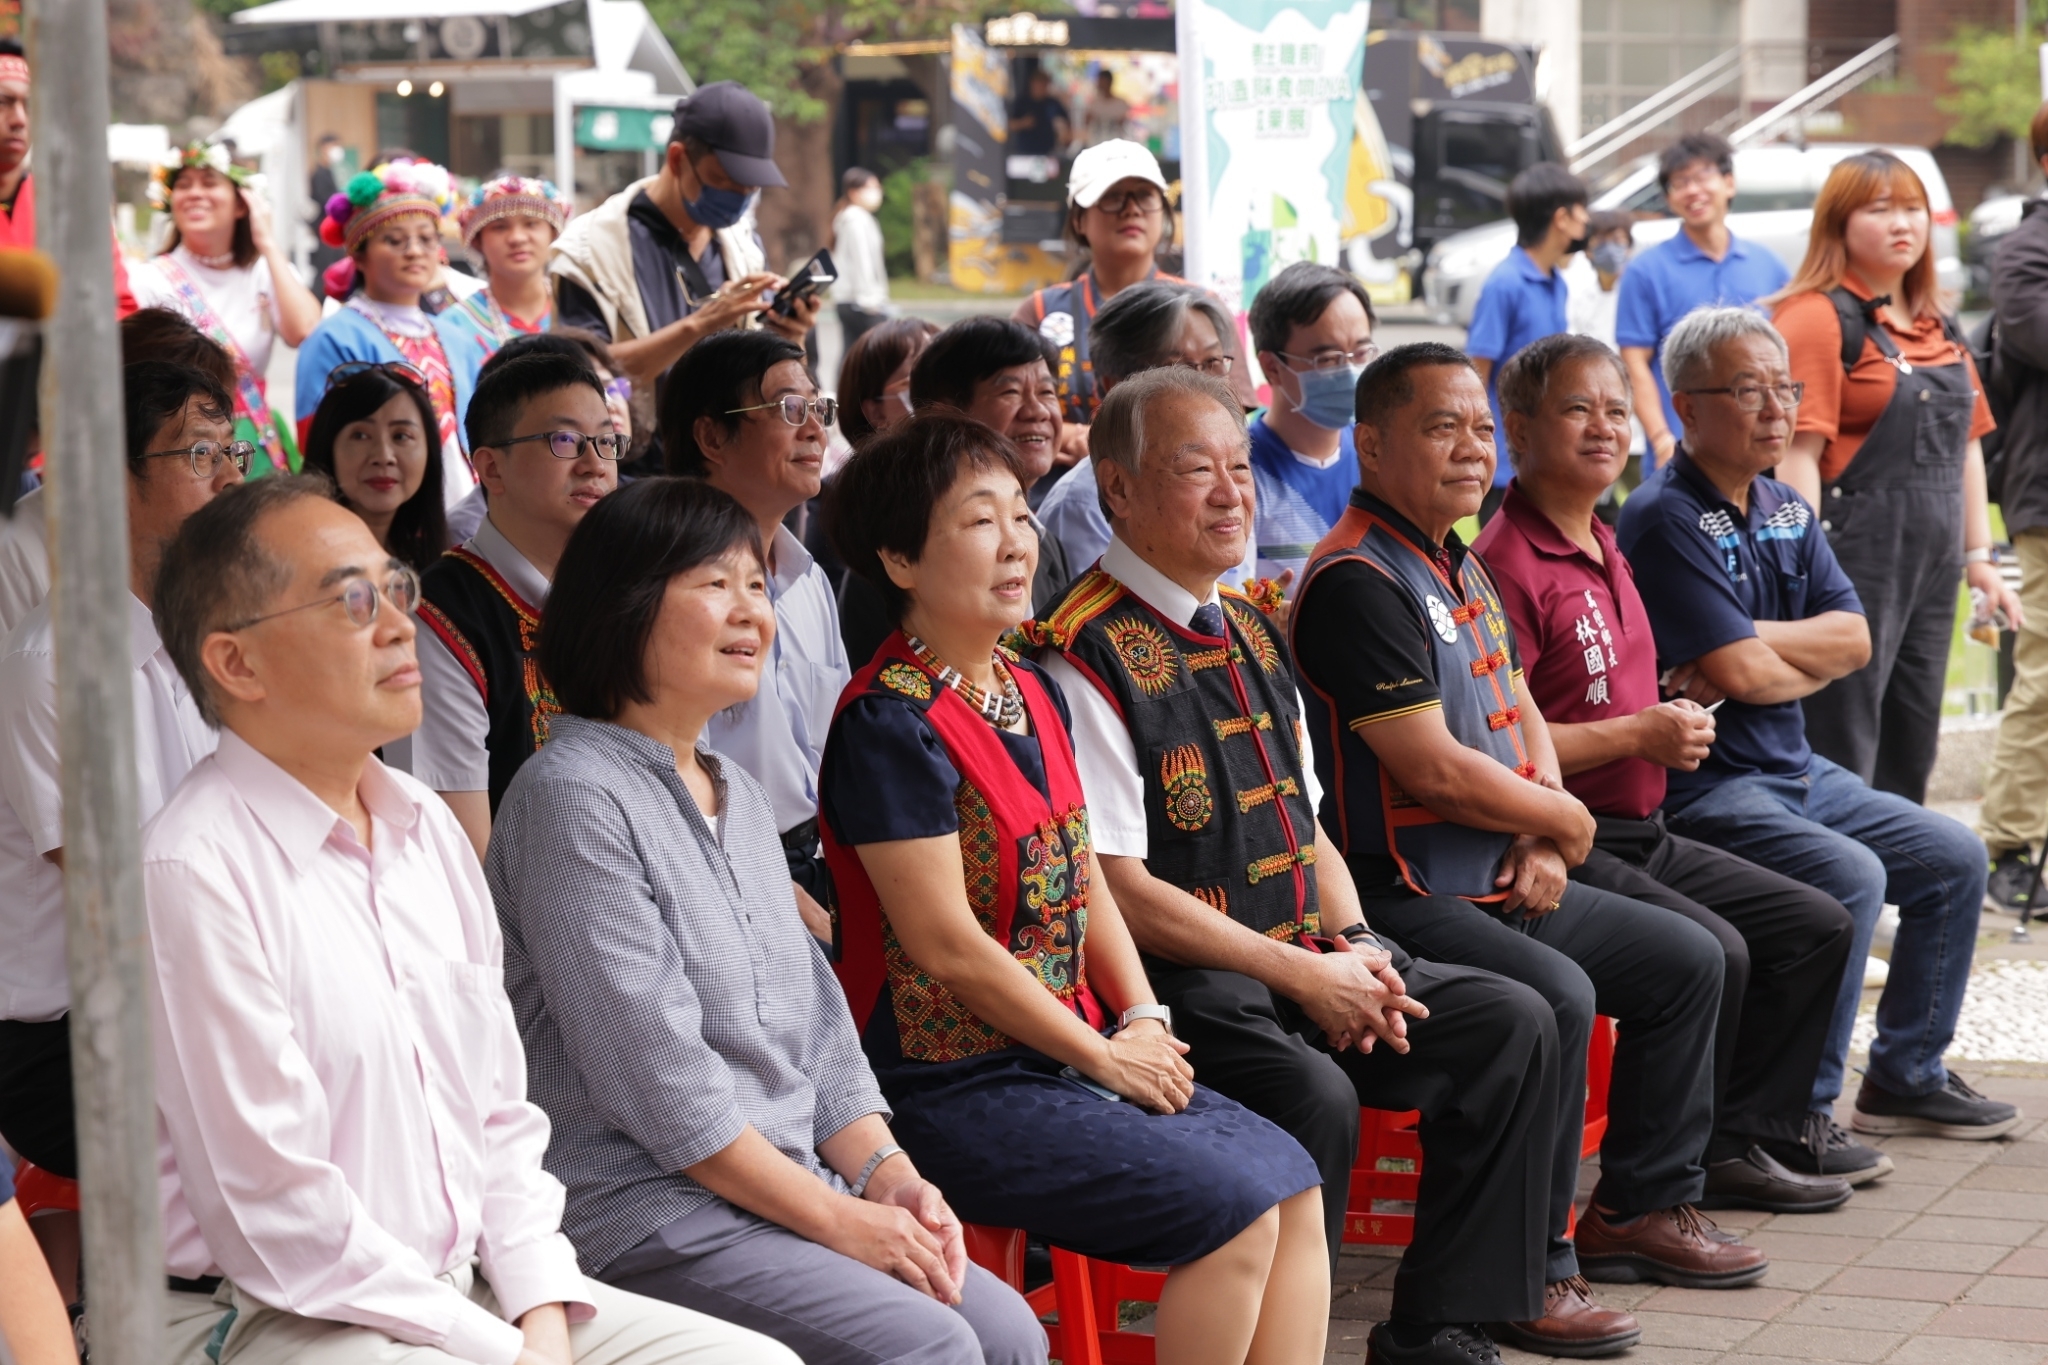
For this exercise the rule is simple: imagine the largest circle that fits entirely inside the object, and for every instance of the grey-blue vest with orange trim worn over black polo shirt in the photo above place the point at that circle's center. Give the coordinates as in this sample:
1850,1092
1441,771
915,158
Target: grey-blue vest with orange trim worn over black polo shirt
1469,654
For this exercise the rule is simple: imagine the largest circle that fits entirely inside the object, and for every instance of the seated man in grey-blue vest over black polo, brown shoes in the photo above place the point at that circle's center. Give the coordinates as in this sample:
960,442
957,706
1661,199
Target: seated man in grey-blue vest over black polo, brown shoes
1447,801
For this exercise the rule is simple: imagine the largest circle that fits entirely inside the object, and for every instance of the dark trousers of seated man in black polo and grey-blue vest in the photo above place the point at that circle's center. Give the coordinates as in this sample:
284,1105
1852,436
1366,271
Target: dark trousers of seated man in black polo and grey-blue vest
1601,955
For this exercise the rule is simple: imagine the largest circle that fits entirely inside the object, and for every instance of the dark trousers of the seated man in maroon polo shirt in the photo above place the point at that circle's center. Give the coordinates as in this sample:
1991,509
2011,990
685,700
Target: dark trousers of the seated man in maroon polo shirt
1785,946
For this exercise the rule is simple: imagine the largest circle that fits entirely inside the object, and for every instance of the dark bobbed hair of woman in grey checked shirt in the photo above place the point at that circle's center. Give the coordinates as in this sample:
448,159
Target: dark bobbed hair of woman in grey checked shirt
613,578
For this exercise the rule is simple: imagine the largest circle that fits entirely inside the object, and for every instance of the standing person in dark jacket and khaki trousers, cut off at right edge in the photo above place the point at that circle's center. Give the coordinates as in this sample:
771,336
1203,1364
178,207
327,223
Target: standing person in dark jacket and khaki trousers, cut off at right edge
2016,789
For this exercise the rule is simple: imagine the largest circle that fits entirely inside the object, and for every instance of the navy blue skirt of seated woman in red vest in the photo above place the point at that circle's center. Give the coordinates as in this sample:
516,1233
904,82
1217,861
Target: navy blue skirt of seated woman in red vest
1015,1145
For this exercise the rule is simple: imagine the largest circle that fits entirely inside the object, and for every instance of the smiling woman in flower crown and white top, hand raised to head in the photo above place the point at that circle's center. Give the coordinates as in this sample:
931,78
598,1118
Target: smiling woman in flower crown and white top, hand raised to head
224,269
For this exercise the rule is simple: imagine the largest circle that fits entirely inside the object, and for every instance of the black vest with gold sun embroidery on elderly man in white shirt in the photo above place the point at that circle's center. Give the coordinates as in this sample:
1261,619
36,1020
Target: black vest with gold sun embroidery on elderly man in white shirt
1218,742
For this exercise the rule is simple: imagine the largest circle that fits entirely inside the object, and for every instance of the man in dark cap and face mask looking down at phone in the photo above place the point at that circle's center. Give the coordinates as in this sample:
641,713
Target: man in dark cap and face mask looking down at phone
640,269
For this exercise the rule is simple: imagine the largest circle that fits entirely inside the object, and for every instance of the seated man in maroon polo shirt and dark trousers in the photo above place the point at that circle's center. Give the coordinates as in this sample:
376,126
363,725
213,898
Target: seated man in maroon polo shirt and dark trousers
1592,670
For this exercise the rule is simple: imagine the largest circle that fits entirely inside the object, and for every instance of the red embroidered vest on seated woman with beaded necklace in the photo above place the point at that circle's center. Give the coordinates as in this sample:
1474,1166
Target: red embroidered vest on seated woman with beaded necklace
1025,861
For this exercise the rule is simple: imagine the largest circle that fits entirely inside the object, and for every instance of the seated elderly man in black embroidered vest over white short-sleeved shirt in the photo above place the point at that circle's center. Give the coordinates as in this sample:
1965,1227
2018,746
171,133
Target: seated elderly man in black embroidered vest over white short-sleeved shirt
1187,730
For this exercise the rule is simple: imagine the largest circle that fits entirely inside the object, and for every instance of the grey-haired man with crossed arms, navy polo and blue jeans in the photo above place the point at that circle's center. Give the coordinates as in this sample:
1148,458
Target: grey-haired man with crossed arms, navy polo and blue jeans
1750,607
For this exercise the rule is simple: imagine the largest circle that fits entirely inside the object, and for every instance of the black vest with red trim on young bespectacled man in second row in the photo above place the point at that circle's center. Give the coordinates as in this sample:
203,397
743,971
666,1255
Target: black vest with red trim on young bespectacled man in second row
493,633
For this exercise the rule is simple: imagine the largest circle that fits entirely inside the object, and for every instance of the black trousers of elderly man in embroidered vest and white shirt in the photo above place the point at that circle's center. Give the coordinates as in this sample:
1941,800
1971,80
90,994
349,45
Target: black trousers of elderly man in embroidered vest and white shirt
1484,1069
